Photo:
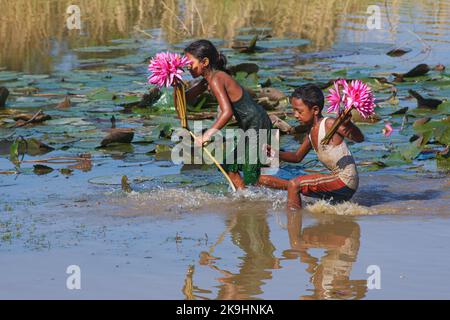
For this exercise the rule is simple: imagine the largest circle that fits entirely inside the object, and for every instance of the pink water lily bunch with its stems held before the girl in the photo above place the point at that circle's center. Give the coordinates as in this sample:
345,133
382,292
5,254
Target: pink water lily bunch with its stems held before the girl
166,69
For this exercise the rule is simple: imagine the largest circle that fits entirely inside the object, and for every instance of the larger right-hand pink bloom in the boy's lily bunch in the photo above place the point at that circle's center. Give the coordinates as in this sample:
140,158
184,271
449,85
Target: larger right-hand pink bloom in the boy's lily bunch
360,96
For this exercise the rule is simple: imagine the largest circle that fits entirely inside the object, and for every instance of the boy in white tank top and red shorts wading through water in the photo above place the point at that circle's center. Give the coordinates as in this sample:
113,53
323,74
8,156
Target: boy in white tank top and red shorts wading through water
340,185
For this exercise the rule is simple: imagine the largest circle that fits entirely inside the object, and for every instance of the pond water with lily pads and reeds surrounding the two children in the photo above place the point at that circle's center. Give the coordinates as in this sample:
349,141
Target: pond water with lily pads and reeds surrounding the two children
181,234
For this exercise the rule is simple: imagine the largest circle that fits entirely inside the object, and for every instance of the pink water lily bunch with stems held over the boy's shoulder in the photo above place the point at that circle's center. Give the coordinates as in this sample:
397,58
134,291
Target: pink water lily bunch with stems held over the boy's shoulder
346,96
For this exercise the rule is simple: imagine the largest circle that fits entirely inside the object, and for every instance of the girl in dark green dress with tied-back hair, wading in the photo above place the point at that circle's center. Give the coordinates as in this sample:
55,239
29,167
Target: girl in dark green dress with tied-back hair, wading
208,63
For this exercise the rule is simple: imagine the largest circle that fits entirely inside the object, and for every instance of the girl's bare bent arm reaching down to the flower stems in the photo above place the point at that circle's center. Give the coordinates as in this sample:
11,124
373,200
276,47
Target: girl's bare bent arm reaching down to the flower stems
218,88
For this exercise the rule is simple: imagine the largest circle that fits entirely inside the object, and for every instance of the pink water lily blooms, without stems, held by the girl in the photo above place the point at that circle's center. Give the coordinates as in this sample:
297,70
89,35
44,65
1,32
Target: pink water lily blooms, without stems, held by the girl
166,67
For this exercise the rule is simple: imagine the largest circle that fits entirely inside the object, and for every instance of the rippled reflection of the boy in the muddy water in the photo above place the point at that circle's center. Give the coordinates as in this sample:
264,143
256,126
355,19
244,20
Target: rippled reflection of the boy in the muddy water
330,275
